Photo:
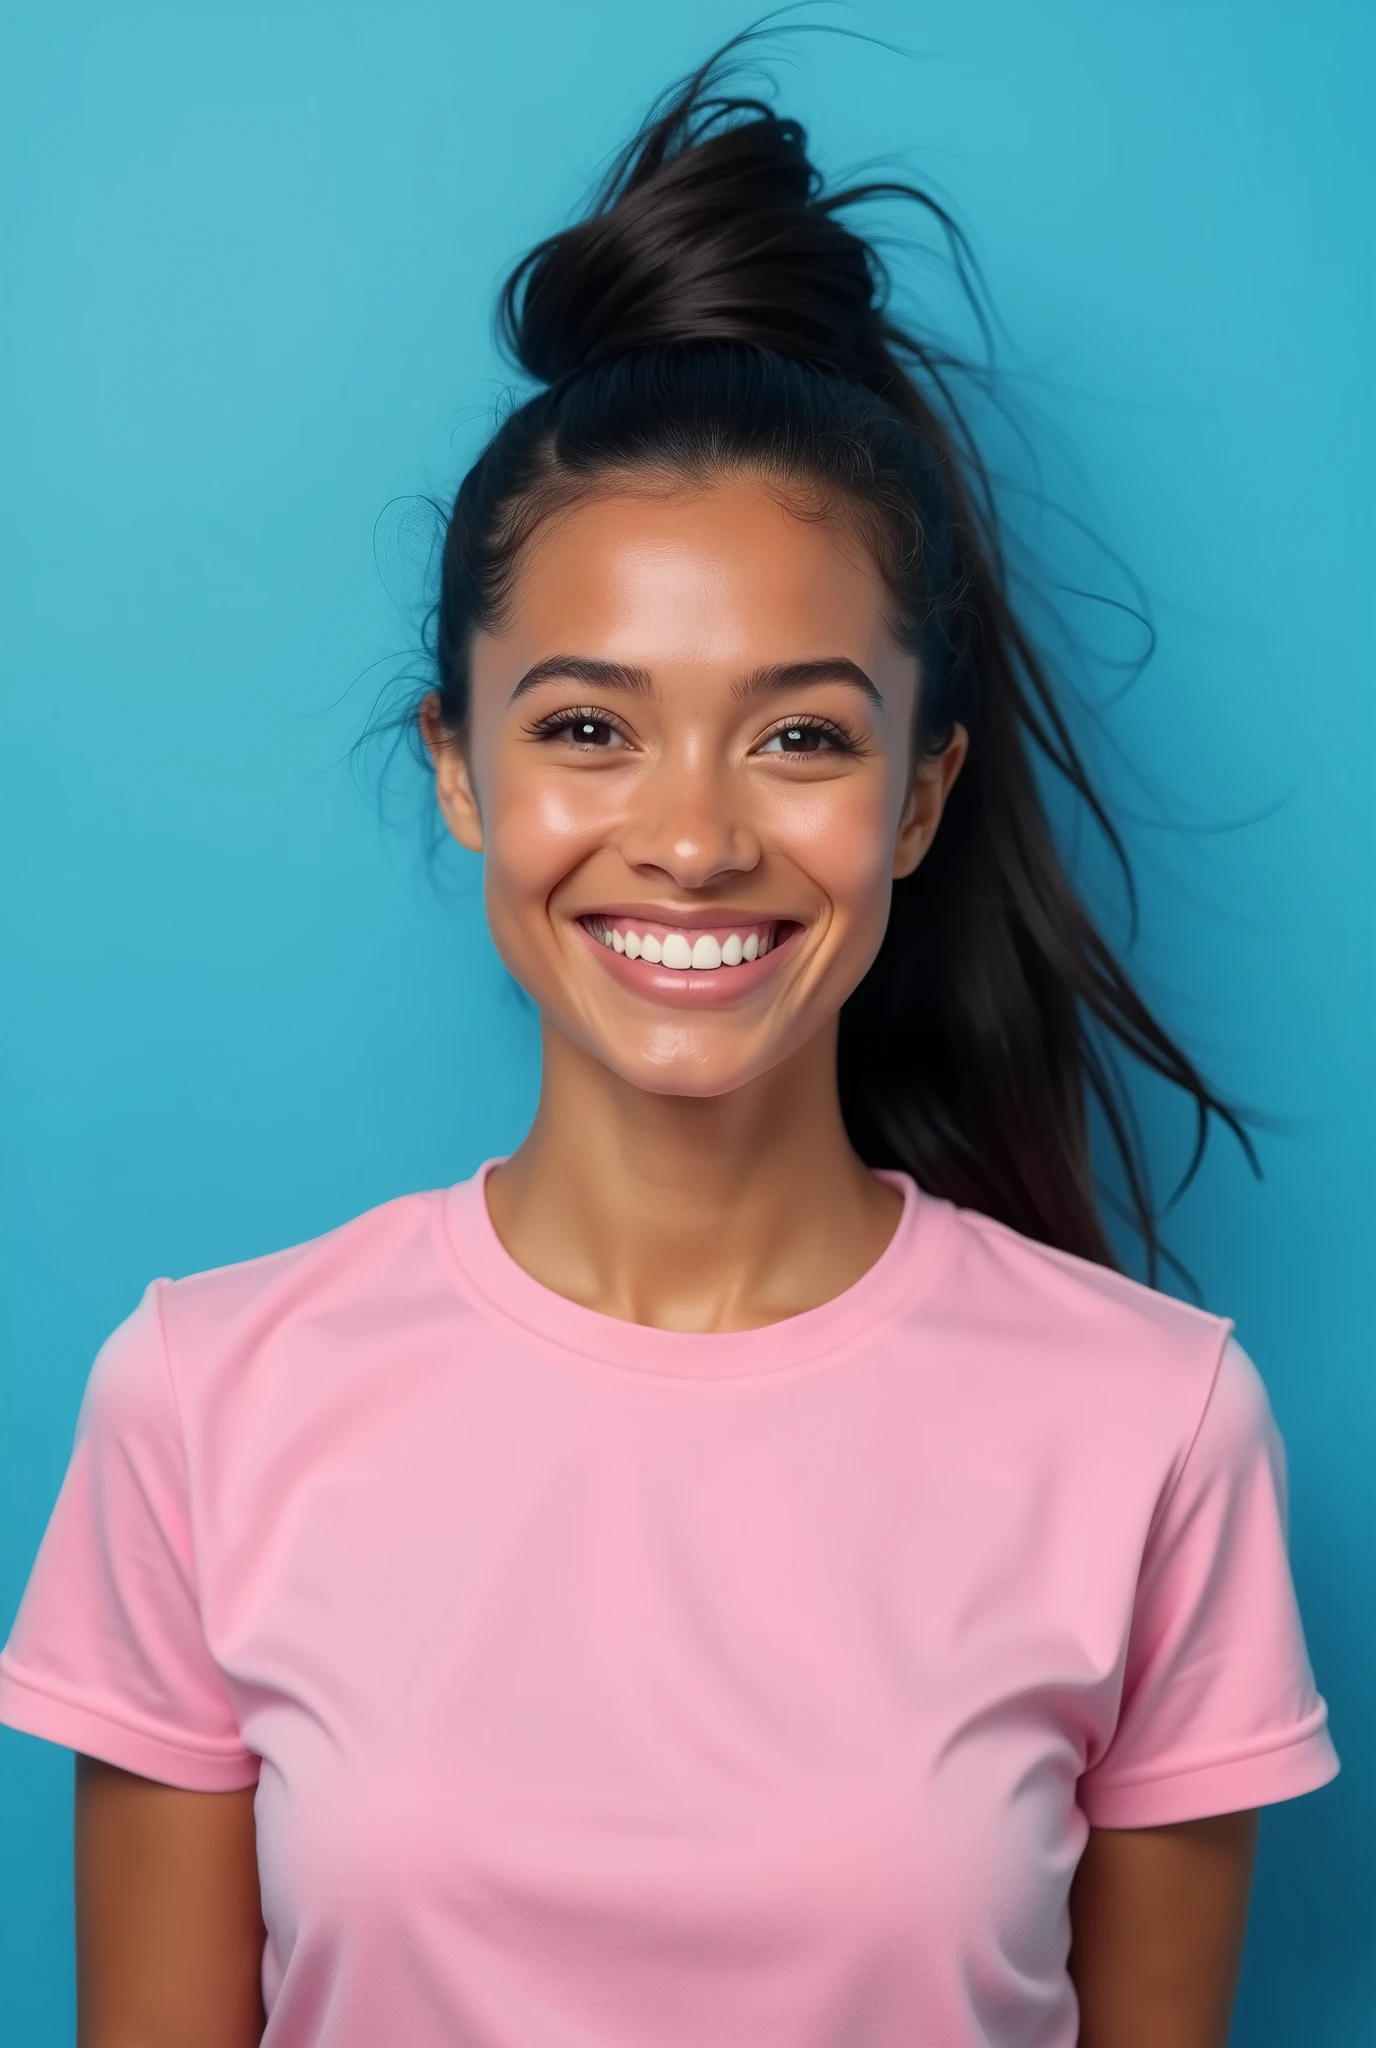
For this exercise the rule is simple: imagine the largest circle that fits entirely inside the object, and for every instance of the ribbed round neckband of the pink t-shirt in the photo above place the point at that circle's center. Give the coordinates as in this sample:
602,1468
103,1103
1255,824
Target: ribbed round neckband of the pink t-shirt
904,1271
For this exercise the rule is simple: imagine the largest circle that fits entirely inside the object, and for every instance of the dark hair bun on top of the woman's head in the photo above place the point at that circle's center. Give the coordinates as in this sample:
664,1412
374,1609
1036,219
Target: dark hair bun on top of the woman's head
709,228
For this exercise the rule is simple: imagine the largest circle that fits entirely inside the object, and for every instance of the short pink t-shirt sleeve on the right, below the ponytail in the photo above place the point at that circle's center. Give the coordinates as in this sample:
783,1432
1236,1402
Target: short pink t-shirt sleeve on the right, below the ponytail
1219,1709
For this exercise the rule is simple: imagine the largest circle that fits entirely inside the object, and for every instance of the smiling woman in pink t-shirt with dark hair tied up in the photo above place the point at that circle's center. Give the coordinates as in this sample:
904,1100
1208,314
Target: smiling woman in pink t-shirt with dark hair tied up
746,1568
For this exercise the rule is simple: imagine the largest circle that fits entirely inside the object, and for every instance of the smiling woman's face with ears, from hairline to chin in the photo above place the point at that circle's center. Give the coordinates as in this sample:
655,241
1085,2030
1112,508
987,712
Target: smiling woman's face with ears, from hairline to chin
689,771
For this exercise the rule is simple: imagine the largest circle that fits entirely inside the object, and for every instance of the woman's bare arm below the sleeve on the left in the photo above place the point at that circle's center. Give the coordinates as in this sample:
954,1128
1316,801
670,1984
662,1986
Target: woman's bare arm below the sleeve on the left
169,1924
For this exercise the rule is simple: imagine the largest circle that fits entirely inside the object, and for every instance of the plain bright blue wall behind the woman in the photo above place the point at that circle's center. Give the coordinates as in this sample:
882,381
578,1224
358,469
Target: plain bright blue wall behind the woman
249,261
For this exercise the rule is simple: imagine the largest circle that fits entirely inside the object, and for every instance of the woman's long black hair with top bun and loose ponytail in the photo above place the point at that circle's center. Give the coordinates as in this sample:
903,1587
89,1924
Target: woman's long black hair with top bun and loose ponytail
714,312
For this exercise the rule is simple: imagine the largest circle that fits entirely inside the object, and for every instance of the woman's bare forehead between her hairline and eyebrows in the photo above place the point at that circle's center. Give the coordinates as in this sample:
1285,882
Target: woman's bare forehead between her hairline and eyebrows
718,574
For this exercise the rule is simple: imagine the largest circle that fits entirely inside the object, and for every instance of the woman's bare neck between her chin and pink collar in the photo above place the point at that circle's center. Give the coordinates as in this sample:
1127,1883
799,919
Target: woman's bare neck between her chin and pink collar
691,1213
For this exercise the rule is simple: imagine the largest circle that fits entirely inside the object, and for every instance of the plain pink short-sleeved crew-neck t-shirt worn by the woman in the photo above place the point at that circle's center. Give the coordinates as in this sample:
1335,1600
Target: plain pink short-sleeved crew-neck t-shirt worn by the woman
611,1687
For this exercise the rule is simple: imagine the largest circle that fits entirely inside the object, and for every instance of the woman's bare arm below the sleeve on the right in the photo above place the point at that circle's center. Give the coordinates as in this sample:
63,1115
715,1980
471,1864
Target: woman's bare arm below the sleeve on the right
1158,1918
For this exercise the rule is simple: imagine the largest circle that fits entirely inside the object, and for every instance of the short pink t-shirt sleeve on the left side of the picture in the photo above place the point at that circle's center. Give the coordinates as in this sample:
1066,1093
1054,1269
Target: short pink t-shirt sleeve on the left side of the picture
107,1654
